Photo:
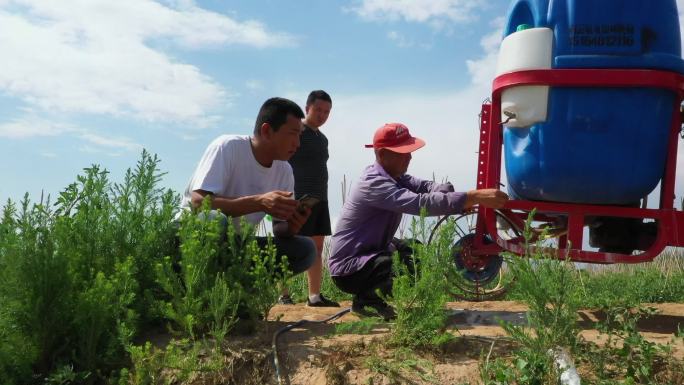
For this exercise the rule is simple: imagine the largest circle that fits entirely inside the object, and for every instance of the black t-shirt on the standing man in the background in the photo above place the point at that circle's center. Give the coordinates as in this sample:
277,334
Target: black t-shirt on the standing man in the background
309,164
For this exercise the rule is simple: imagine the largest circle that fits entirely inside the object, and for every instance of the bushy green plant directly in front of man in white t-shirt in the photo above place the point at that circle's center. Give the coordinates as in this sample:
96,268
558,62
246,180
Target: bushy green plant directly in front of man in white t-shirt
218,276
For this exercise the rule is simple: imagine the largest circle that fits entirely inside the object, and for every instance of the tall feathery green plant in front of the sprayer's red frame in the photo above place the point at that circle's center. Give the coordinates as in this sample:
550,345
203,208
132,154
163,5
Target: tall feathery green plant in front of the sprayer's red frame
551,289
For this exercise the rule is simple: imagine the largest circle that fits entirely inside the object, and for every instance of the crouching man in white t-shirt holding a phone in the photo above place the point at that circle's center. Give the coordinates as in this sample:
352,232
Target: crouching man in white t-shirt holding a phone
250,177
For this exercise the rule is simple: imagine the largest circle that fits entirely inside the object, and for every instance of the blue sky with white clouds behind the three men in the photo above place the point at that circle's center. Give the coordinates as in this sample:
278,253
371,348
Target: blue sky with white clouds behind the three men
95,81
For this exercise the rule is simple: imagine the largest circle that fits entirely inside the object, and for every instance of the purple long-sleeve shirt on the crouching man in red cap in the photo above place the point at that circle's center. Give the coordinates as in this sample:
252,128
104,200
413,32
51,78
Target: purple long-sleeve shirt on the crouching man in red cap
372,214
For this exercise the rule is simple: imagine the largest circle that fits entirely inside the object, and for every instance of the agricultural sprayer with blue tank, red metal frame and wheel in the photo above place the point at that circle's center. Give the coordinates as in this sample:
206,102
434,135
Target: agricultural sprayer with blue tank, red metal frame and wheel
586,112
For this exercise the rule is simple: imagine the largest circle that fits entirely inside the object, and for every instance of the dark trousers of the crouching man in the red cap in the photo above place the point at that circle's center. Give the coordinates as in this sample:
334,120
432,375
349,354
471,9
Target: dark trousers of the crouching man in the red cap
377,274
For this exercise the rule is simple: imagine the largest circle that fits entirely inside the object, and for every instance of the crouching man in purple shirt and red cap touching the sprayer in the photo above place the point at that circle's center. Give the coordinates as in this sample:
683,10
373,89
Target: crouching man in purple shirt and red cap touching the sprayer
363,243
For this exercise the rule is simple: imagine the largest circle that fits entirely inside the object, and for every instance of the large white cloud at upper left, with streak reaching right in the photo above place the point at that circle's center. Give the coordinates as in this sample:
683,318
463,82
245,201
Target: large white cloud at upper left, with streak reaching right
98,56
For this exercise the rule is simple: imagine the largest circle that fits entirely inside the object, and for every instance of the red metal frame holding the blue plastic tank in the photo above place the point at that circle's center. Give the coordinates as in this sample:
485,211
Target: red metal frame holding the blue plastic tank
670,221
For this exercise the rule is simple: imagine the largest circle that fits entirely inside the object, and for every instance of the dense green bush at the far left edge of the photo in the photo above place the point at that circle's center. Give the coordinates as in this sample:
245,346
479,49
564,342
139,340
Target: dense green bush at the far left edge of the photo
37,289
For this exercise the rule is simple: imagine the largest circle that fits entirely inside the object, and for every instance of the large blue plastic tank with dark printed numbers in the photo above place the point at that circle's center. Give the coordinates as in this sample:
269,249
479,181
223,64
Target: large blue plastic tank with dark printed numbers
598,145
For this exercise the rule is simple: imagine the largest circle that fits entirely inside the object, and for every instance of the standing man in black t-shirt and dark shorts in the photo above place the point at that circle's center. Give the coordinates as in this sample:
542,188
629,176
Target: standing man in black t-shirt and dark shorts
309,165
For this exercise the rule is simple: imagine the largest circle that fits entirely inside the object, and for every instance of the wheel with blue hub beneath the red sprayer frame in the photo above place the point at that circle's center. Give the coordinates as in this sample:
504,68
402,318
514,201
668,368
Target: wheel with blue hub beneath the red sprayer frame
475,278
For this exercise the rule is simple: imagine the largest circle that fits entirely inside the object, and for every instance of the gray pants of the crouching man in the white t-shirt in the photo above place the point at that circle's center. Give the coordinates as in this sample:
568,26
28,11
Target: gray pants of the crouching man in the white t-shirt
300,251
